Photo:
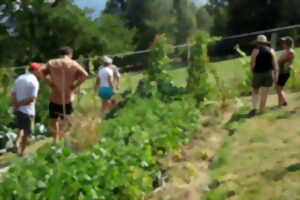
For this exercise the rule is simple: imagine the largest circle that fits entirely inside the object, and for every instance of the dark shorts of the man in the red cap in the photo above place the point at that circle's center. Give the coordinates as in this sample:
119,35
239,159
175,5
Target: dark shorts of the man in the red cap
25,122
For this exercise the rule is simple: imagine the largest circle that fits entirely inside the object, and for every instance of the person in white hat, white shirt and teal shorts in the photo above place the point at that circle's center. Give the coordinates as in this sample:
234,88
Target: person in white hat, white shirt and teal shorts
105,83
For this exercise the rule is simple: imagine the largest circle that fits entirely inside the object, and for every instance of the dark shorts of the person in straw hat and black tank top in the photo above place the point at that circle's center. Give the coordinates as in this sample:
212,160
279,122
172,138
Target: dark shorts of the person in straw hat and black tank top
262,80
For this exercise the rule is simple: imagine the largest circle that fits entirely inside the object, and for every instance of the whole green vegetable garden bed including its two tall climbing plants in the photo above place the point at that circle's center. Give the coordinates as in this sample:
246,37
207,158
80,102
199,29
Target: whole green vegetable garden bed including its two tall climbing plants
148,123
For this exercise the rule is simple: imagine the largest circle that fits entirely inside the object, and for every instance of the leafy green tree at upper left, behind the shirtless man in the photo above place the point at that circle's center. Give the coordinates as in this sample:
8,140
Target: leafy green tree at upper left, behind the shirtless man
39,29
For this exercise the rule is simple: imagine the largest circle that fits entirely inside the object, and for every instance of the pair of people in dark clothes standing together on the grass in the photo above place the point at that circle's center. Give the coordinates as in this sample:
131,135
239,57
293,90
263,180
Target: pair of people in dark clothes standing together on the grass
268,71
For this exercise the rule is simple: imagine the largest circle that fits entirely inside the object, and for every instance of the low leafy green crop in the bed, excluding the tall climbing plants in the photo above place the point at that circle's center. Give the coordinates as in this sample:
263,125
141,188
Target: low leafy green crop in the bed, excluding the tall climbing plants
121,166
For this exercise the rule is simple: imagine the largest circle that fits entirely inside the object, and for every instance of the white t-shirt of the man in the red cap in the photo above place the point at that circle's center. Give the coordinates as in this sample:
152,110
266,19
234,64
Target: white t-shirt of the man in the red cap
26,86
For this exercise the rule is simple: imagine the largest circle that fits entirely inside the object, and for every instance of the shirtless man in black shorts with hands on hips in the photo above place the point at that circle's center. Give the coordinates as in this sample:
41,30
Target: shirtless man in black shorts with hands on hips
65,76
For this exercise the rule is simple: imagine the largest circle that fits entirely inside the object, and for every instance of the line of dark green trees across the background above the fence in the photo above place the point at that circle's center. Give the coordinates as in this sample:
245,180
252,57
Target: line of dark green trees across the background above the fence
35,29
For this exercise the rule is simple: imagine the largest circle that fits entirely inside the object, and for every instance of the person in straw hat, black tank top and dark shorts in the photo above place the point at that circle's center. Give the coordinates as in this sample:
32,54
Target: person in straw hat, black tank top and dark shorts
264,68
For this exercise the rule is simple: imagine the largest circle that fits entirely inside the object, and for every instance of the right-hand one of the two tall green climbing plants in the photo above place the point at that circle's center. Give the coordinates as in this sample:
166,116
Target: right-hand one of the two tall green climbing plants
198,84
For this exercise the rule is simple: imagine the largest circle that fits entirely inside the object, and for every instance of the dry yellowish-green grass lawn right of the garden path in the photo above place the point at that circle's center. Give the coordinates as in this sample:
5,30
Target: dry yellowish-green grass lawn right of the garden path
262,160
